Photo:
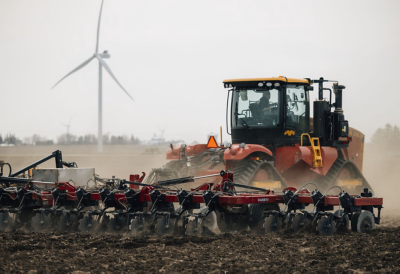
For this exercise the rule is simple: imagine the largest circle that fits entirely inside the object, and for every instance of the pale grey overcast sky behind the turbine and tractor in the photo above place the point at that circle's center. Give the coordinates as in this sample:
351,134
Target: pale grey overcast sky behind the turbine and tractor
172,57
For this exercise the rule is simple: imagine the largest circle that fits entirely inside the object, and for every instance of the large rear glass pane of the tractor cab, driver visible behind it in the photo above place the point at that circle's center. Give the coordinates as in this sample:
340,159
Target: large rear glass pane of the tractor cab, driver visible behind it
256,107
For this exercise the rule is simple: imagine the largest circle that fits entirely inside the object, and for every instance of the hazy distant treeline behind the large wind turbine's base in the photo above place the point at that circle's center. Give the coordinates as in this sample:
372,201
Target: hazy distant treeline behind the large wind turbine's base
68,139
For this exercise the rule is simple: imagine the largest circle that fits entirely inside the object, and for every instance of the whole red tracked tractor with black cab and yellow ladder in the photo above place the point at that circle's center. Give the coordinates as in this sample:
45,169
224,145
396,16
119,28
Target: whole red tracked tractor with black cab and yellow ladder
275,142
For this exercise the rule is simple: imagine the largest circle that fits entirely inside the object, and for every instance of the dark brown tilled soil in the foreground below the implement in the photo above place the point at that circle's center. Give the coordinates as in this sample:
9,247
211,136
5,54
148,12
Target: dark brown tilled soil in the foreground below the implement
347,252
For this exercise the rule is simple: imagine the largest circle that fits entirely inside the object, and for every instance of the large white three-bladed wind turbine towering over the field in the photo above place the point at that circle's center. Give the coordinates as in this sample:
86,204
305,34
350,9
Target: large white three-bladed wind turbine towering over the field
102,63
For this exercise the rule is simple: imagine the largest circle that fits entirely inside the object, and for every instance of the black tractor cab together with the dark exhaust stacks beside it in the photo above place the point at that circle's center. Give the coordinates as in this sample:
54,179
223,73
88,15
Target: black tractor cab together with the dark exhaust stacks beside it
275,112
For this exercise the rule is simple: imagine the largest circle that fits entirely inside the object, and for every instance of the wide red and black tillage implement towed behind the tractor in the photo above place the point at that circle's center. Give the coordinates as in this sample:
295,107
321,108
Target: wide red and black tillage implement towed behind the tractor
40,202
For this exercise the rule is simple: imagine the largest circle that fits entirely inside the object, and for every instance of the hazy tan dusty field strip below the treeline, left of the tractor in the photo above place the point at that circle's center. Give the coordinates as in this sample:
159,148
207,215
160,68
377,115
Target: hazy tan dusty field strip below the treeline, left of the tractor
116,160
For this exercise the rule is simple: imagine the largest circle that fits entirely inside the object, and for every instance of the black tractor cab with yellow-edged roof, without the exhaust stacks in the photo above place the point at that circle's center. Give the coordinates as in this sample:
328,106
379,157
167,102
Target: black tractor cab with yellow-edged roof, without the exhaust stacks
269,111
